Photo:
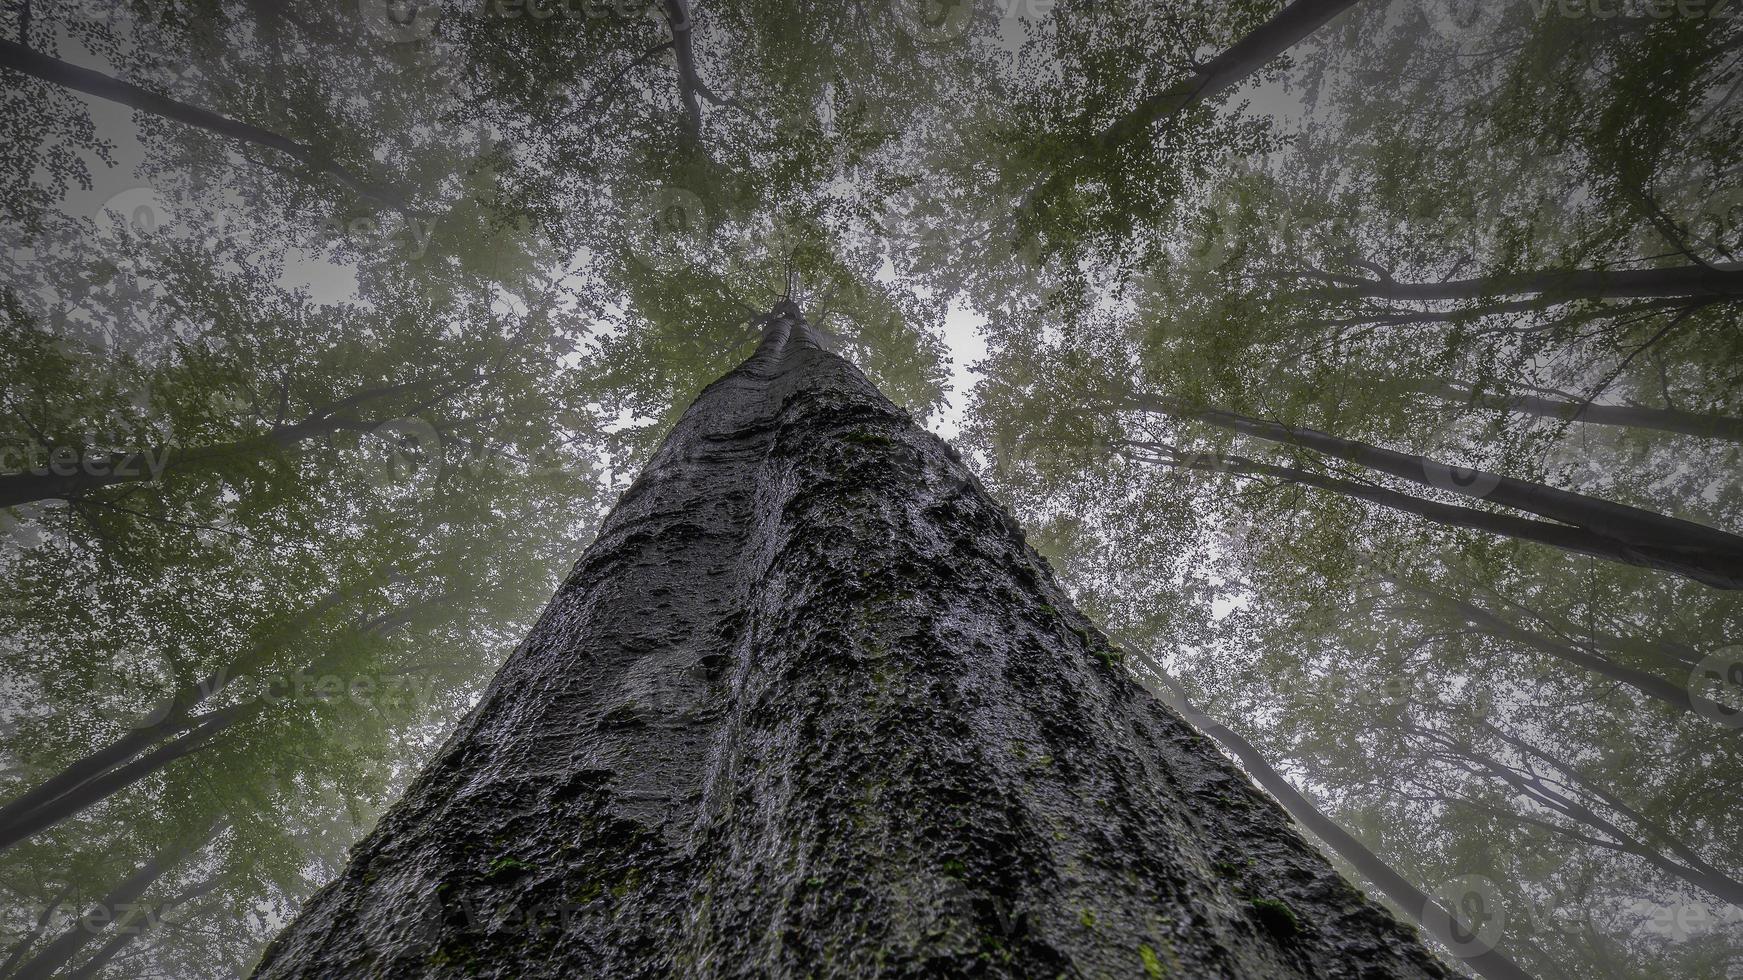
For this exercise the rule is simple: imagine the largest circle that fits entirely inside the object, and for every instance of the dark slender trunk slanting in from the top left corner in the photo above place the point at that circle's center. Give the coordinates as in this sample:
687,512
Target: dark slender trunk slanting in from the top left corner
24,60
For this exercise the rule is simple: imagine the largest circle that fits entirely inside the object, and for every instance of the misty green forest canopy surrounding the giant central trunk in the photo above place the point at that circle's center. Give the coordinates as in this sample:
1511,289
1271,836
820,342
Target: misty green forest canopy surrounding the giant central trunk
1371,371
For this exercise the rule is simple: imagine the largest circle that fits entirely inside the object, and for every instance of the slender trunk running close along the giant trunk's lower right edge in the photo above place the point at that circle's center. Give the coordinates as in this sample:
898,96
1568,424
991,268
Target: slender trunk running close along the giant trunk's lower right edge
1421,908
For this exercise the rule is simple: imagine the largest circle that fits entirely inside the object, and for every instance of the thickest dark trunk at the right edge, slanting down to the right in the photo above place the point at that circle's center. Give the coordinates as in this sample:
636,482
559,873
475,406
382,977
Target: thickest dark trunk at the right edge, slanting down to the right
1699,552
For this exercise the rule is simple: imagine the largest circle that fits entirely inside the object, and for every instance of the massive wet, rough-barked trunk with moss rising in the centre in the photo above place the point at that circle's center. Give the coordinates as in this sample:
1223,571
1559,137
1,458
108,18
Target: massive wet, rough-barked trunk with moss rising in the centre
810,707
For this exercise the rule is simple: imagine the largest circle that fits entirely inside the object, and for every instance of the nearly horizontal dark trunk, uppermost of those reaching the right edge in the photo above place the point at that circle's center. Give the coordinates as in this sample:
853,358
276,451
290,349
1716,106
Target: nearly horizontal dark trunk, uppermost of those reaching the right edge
1693,282
